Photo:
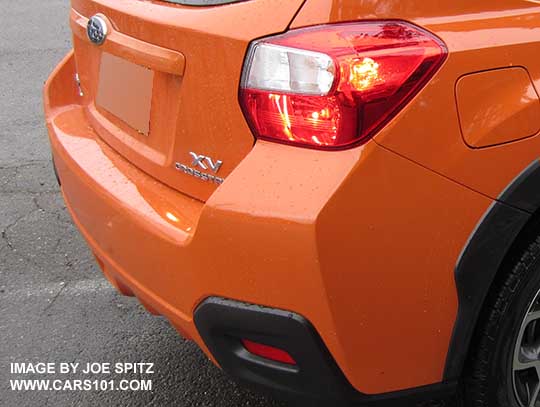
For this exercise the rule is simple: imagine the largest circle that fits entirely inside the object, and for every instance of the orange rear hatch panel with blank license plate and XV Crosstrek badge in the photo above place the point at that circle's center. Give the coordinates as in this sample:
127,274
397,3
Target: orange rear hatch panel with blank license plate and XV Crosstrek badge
164,85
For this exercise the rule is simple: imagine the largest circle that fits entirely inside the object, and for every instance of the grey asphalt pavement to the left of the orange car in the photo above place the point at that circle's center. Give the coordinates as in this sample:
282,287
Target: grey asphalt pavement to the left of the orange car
55,305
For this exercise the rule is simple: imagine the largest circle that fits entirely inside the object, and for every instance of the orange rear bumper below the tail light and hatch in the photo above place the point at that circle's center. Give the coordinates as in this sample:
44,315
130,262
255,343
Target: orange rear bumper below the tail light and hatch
352,241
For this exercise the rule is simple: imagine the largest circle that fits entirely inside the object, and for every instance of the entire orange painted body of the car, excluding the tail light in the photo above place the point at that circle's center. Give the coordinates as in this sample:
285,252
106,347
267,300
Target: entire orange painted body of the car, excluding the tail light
362,242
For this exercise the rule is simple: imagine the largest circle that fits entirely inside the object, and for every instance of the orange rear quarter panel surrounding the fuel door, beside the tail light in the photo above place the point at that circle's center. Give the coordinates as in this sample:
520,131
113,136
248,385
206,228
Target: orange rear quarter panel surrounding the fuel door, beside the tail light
480,36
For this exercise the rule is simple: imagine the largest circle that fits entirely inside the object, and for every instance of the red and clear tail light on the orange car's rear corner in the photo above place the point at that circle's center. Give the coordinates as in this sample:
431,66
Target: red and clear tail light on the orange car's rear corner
334,86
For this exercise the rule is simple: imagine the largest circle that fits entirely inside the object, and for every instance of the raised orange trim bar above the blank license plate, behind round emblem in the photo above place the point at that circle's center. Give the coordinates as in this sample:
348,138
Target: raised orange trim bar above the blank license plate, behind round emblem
132,49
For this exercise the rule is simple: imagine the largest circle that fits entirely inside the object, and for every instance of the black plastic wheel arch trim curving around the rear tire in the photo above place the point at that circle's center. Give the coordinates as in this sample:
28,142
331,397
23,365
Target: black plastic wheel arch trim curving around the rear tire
483,255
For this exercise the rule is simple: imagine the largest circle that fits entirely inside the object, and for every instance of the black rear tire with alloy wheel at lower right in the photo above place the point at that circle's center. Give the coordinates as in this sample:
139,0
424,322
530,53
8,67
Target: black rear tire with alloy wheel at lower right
496,375
